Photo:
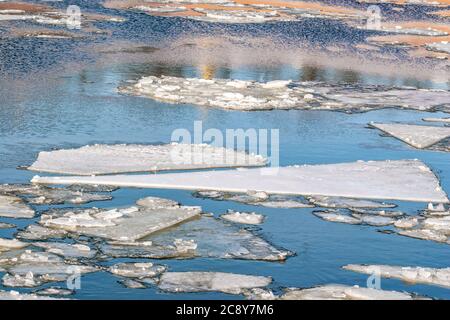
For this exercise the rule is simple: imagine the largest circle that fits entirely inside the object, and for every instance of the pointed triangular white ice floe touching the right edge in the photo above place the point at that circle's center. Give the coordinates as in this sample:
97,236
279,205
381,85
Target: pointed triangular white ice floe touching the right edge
418,136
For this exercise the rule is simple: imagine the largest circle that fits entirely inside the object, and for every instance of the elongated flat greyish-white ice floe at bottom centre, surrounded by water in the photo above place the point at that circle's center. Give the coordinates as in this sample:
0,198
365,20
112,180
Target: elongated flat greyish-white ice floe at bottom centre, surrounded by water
210,281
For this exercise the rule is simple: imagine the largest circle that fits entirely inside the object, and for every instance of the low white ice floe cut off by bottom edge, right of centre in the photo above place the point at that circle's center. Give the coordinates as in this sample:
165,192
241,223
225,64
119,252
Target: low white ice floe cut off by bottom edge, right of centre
343,292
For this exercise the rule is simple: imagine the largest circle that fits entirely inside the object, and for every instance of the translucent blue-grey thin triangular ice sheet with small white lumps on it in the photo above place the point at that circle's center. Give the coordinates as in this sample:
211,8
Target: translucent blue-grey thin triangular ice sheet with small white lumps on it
206,237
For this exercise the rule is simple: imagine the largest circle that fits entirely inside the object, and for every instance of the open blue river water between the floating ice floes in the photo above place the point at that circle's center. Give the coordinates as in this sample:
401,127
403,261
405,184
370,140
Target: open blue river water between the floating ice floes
44,109
